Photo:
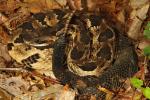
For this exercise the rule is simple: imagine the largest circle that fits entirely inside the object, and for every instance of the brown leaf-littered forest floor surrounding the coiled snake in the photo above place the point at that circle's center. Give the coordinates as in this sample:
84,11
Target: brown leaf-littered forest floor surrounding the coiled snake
19,84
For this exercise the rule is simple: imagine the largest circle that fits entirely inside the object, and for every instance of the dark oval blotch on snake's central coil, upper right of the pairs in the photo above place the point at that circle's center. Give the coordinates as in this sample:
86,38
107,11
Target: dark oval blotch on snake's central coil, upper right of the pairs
104,36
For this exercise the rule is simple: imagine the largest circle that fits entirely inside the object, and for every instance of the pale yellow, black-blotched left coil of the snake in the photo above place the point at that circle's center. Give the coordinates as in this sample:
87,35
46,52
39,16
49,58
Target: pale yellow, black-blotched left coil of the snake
32,42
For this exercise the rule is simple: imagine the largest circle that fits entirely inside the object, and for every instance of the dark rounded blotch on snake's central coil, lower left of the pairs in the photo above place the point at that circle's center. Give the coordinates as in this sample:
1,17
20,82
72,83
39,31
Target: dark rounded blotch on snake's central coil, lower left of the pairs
76,54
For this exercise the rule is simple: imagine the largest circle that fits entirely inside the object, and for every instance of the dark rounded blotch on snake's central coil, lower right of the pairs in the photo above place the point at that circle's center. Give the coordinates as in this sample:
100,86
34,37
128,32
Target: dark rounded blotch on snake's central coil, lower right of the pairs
105,52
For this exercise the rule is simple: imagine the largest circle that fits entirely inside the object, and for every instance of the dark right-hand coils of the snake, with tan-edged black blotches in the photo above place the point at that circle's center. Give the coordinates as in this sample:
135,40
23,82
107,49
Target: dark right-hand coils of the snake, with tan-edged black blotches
102,46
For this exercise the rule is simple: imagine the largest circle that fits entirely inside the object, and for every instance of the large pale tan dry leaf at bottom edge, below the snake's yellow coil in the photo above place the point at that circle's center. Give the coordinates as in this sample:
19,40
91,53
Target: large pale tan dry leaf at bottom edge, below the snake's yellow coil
54,92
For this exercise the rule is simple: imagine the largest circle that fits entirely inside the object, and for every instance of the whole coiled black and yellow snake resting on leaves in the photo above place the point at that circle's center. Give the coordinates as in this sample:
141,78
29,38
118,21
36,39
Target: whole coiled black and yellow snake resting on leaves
80,48
